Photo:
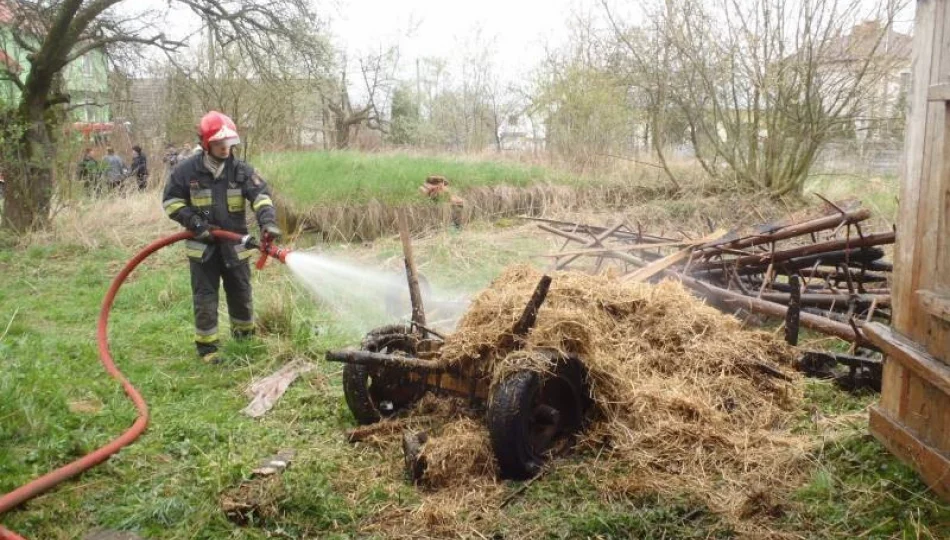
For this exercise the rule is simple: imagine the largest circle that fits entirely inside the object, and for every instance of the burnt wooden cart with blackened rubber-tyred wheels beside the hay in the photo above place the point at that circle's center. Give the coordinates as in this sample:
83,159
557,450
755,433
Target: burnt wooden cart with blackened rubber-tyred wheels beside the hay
529,414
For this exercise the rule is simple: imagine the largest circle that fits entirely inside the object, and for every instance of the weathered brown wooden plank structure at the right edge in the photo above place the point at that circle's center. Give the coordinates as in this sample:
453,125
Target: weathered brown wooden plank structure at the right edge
913,417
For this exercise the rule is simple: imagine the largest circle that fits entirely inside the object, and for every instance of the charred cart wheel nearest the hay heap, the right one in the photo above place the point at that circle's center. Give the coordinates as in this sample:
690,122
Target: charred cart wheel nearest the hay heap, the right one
533,414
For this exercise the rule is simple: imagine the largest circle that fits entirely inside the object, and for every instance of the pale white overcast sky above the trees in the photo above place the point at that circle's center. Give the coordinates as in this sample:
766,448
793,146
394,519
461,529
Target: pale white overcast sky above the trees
516,32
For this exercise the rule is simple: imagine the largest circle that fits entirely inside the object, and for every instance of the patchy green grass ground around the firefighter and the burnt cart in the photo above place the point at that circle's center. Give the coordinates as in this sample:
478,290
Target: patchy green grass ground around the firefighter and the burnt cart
58,404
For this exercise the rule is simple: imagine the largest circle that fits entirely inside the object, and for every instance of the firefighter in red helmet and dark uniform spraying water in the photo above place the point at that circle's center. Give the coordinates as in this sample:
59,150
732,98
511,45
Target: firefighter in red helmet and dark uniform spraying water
211,189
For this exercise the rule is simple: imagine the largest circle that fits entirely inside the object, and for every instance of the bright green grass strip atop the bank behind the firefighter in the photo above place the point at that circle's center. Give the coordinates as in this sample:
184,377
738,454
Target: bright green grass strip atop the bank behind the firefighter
313,178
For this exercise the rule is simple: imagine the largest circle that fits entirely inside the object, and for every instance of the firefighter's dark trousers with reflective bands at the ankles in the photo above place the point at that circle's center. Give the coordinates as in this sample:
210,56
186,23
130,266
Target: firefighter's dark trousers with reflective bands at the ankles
206,279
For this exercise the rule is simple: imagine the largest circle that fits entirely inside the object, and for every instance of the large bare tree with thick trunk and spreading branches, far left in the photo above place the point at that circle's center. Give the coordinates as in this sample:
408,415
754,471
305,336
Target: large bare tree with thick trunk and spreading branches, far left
56,33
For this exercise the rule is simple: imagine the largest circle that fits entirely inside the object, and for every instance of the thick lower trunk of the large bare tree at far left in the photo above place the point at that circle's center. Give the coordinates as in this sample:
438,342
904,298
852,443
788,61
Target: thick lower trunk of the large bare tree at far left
29,189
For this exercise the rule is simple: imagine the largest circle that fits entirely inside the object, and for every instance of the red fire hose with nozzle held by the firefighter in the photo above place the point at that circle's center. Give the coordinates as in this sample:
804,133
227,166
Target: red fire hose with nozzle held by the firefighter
51,479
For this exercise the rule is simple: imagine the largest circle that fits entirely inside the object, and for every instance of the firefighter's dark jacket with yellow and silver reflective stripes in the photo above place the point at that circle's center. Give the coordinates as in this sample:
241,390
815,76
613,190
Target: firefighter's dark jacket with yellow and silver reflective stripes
192,189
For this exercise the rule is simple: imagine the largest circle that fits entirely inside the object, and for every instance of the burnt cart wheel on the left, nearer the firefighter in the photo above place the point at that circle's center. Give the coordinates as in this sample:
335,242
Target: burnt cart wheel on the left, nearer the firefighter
375,393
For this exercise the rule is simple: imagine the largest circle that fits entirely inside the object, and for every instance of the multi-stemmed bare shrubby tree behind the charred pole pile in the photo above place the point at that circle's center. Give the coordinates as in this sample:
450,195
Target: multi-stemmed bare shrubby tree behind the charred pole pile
762,85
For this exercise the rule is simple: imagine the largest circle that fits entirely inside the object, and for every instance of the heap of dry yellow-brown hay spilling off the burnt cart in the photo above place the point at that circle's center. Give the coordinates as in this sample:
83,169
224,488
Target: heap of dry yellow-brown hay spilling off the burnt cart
682,399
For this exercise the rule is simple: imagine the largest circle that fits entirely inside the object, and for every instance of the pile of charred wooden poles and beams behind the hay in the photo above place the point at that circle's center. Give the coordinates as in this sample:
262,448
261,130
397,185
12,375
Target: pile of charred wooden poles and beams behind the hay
821,270
